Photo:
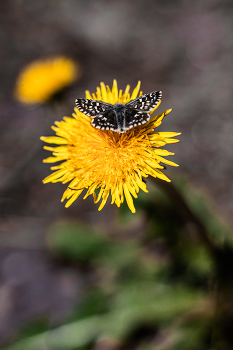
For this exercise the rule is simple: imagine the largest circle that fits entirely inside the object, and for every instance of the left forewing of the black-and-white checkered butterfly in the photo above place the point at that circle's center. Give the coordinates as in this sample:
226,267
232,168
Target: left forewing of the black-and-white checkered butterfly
91,108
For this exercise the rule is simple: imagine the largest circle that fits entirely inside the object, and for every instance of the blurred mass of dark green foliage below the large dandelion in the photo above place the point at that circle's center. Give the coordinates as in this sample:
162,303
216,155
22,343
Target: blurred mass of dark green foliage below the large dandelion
153,291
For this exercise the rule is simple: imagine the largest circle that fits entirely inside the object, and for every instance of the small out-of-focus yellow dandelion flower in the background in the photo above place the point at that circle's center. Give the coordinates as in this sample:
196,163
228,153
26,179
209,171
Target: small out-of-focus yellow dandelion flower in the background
41,79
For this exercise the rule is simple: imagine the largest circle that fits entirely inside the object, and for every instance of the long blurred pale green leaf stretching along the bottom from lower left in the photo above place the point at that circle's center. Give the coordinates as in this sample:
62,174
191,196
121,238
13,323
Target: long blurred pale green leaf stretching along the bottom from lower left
135,305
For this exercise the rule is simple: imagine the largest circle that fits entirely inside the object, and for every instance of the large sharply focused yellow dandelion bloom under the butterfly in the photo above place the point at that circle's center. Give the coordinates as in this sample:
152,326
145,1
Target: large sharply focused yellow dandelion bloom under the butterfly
104,161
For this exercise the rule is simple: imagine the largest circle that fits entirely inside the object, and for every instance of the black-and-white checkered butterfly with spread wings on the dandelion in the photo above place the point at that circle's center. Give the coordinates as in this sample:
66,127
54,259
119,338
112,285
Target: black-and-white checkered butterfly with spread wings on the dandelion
119,117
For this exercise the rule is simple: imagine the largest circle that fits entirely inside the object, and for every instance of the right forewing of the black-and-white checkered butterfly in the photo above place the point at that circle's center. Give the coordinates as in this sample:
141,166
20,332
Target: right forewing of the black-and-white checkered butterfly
145,102
